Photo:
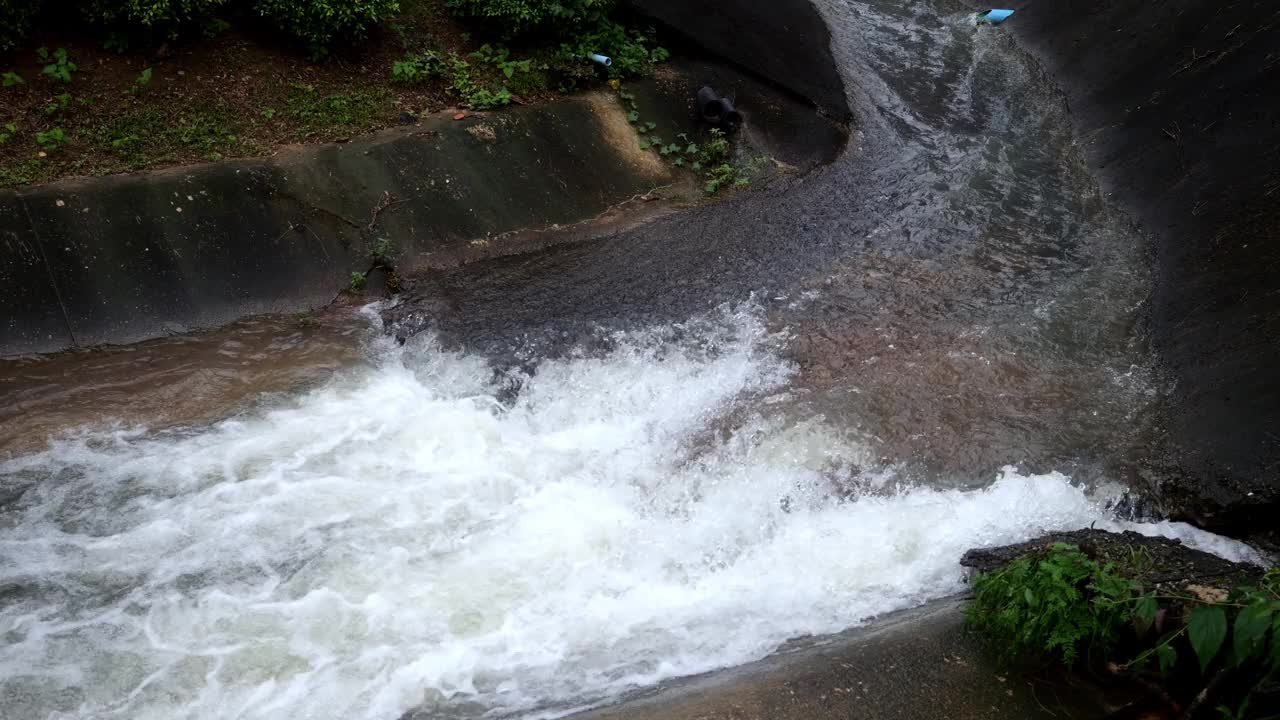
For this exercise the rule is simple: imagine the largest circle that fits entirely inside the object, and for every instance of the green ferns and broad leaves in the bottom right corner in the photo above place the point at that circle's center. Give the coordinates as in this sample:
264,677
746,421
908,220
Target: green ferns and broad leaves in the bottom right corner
1213,649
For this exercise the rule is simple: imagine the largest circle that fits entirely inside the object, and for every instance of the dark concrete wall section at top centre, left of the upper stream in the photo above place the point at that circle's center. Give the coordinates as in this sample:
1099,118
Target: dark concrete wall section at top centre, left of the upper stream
784,42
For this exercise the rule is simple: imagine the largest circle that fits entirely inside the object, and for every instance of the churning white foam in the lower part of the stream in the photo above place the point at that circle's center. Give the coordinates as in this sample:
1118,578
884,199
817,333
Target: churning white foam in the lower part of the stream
400,537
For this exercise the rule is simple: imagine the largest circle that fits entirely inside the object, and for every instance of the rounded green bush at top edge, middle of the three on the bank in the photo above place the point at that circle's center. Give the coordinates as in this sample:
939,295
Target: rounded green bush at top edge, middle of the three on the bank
321,24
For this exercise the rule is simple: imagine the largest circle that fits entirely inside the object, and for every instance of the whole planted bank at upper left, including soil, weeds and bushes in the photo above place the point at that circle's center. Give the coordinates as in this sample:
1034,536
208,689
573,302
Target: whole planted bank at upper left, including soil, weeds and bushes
140,84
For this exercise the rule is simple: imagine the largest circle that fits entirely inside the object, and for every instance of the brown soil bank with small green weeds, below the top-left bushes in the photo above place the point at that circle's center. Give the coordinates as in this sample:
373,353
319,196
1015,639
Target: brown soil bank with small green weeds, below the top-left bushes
72,107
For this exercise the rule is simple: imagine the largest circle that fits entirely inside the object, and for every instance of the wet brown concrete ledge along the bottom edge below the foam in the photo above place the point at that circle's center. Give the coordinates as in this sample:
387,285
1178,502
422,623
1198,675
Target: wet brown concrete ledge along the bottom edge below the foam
913,666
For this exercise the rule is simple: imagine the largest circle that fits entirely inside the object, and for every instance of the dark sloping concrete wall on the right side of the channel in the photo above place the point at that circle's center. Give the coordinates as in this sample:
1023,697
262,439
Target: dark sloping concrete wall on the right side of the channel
1178,106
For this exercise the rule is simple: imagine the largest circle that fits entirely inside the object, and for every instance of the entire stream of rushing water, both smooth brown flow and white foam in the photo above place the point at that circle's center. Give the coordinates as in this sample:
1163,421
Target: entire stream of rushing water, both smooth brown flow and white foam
277,522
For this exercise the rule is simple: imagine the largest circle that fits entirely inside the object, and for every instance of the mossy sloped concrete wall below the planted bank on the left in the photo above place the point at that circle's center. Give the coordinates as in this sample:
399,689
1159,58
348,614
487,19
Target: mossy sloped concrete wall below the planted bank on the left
136,257
